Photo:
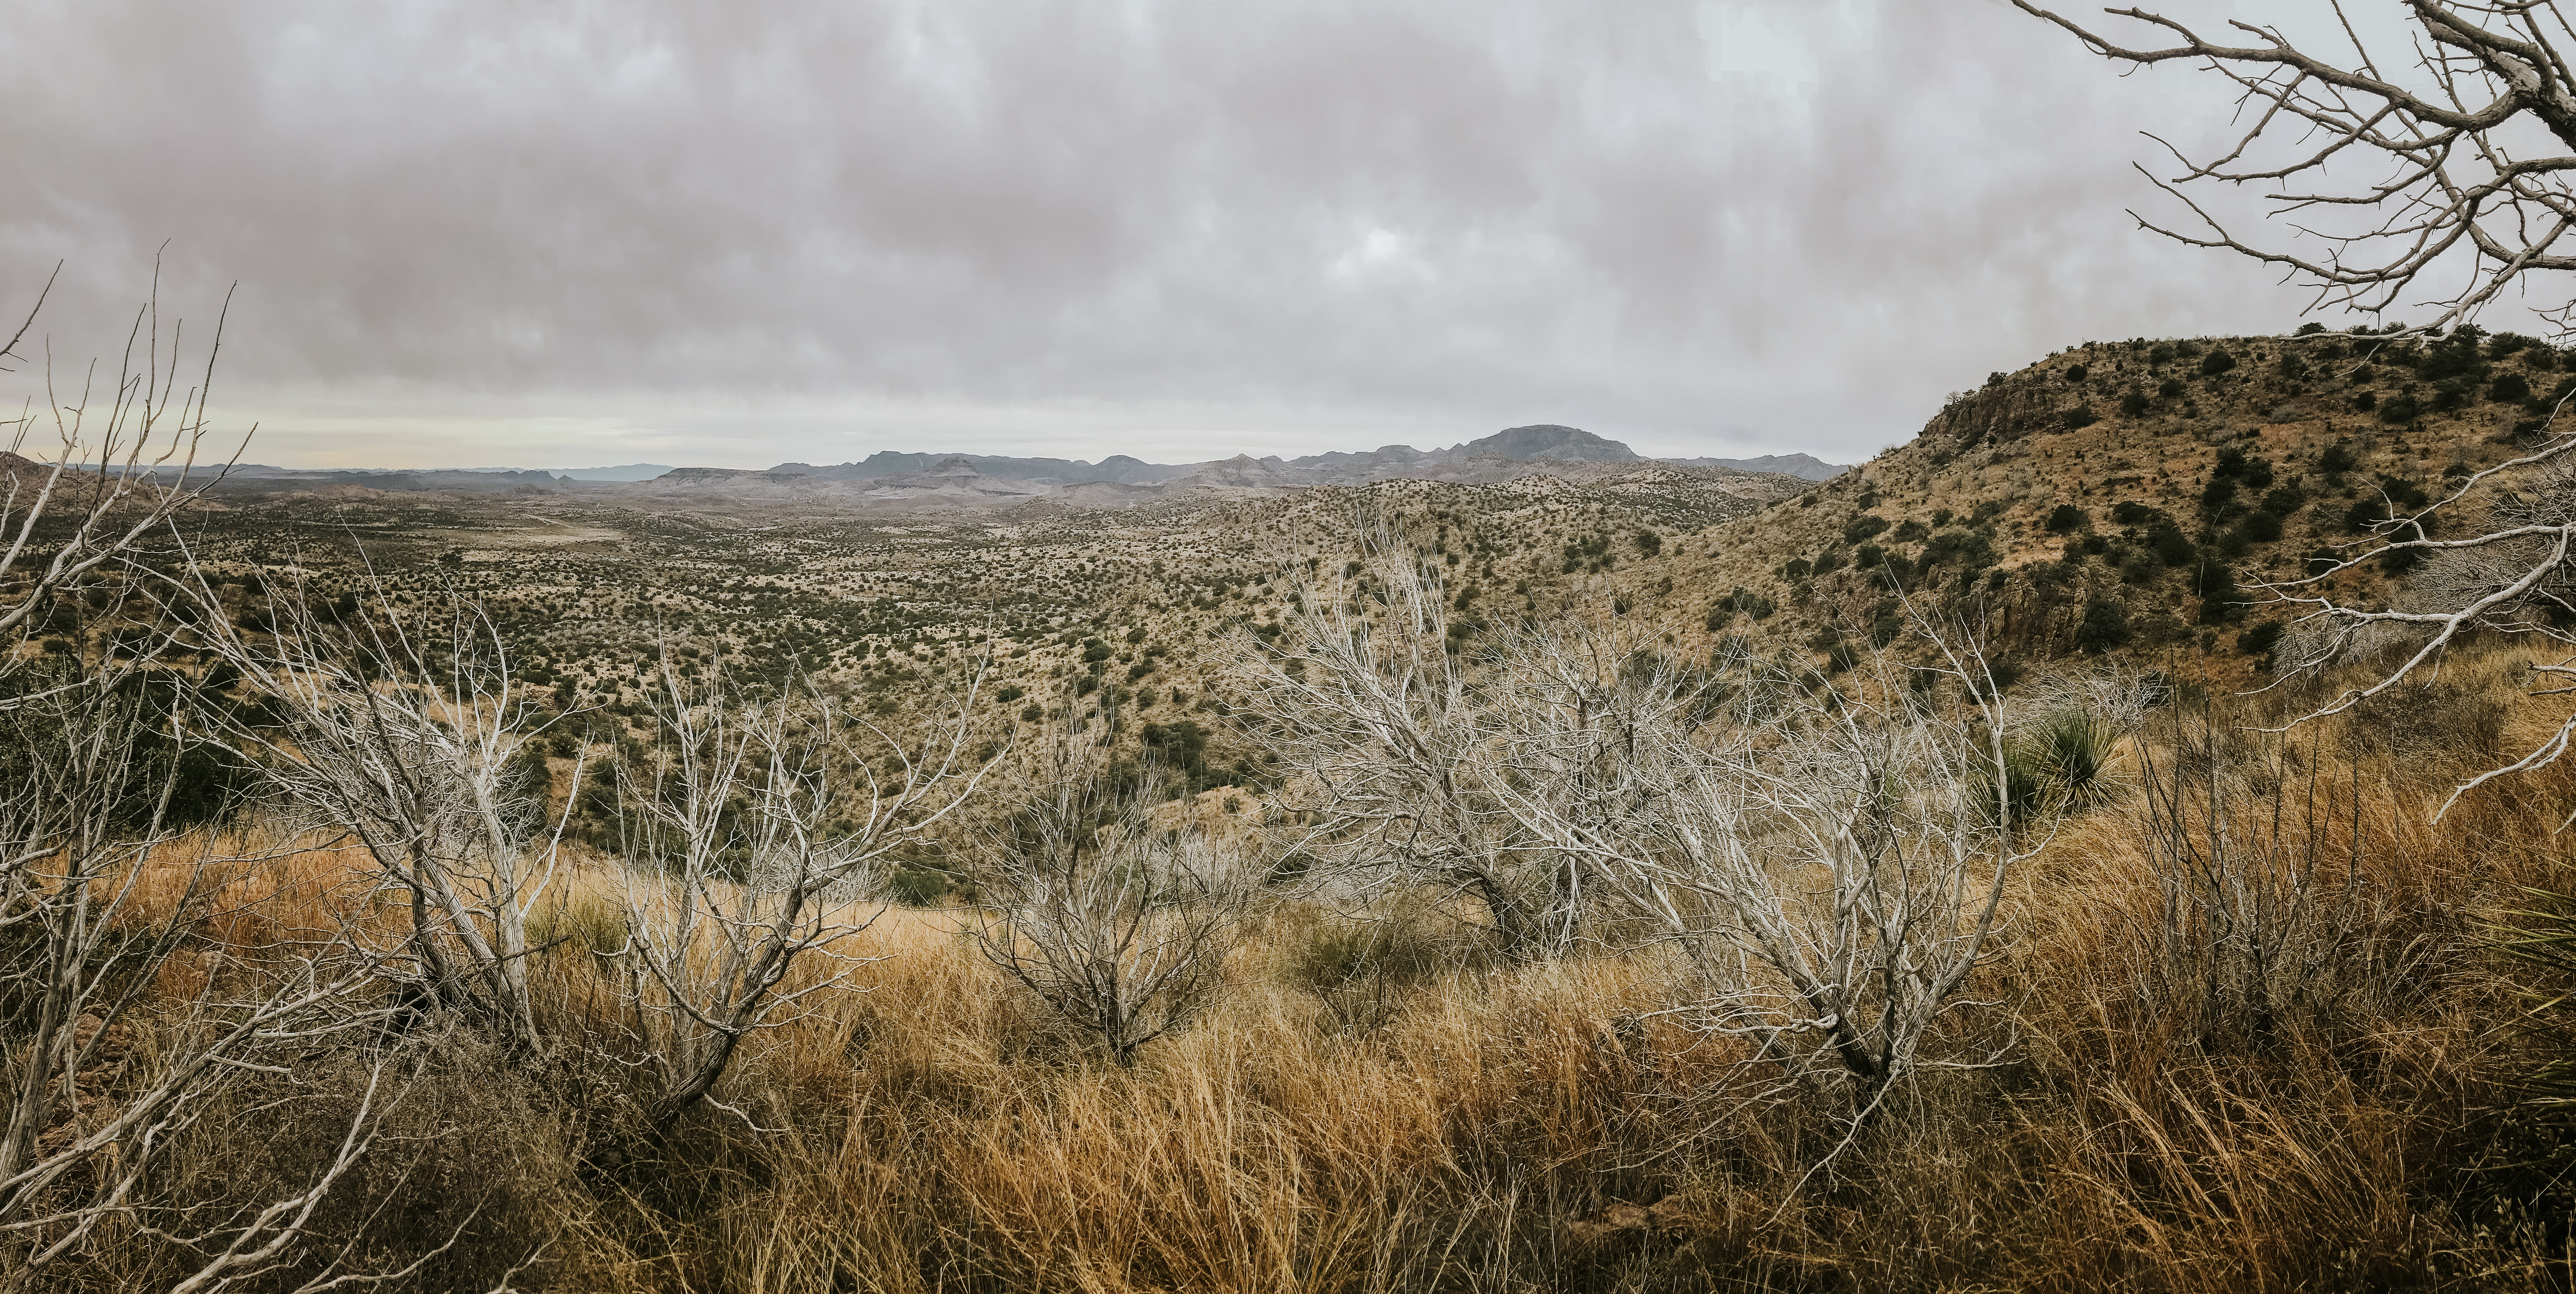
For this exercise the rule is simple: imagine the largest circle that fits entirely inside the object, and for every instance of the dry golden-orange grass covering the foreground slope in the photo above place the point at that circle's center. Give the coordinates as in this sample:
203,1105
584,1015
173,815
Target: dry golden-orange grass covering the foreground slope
1534,1128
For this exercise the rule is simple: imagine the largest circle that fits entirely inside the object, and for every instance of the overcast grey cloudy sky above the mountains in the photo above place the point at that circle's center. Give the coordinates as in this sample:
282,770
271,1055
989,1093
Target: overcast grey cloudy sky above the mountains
519,233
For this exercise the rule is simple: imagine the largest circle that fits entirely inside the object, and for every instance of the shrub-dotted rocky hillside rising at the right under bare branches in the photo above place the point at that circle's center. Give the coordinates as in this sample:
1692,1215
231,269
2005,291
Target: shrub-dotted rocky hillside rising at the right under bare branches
2126,496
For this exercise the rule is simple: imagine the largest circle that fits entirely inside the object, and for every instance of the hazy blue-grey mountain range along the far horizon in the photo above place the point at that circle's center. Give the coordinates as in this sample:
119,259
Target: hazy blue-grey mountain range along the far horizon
988,478
